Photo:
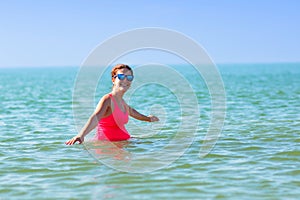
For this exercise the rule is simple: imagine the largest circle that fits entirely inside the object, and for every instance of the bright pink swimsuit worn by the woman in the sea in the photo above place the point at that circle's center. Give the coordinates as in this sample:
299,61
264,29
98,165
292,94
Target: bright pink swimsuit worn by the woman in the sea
112,127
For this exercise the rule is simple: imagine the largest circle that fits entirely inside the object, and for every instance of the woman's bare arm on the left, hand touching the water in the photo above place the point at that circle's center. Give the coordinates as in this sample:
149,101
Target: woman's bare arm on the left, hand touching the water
92,122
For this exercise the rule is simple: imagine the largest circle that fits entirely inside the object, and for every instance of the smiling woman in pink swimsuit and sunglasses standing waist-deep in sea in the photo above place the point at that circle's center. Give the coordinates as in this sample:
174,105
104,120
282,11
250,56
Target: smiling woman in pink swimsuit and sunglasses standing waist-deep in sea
111,113
